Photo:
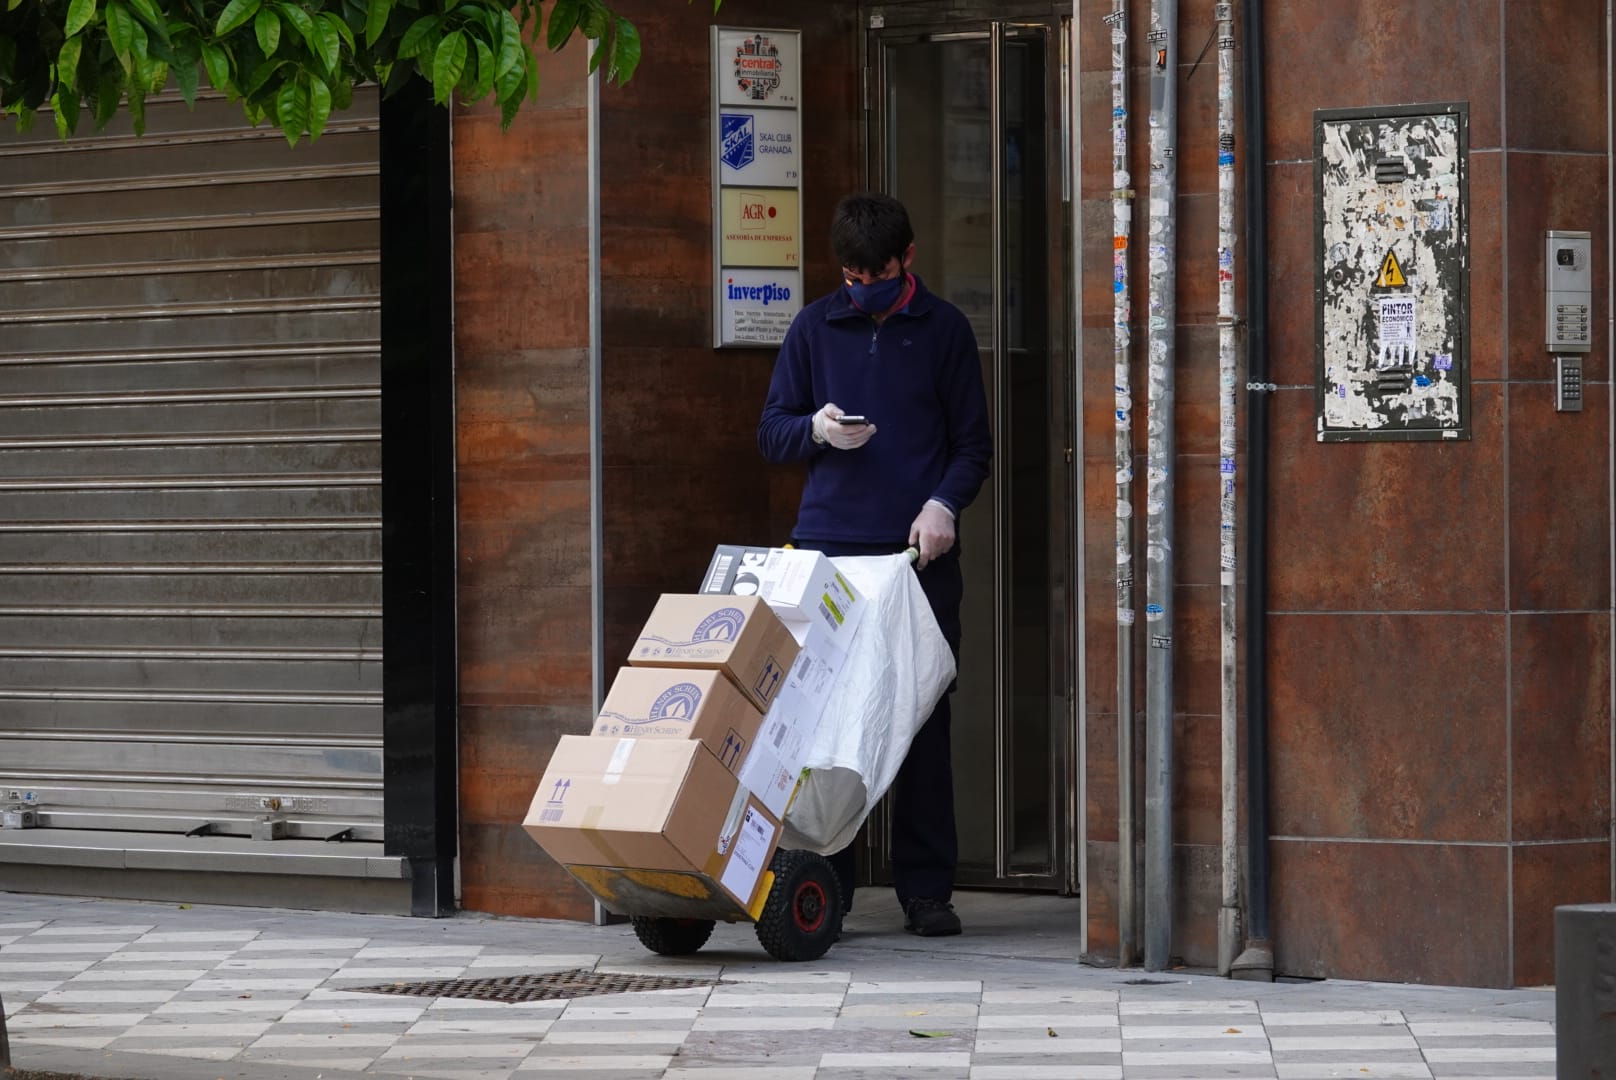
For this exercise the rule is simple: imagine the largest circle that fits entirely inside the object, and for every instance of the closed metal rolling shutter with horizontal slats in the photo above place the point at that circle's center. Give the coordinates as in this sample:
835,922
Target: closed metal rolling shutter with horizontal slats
190,478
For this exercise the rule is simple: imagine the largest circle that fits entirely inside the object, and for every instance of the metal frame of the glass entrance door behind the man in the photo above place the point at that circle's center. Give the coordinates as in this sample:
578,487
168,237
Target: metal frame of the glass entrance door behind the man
927,23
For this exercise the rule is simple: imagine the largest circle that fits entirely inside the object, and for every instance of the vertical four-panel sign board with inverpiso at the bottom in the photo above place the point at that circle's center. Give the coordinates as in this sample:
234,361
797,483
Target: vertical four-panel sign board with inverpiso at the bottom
757,185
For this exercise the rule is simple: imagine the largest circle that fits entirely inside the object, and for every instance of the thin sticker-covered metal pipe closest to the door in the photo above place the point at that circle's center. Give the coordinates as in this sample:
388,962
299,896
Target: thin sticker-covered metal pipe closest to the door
1122,319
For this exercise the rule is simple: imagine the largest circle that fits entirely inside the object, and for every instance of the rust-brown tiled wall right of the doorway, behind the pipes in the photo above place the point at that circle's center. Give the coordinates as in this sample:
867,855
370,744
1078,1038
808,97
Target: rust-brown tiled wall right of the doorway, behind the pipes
1439,623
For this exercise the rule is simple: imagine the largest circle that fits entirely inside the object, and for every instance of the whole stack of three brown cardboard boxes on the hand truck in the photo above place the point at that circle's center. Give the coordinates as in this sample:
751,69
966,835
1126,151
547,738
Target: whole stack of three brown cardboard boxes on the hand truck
647,812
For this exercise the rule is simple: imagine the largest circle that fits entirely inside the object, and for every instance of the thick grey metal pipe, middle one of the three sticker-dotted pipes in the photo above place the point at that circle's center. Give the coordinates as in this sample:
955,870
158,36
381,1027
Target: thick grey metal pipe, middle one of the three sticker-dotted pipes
1159,494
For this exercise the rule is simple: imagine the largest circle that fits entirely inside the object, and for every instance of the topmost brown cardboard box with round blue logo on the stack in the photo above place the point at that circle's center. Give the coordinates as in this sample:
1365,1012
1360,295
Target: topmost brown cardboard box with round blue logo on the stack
739,636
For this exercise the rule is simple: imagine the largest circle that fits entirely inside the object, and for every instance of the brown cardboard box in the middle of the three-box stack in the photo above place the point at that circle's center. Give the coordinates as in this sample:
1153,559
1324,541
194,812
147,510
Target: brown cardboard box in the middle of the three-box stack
681,704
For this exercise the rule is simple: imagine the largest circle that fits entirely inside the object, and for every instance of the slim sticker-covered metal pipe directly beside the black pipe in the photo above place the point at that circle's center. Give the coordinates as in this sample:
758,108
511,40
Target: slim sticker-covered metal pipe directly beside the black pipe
1229,914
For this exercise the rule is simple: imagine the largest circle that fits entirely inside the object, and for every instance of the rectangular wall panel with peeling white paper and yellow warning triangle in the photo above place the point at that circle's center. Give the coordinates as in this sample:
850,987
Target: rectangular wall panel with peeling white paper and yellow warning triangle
1392,282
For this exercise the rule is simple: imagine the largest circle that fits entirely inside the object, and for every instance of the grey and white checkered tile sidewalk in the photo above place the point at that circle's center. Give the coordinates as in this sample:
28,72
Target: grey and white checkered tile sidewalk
156,992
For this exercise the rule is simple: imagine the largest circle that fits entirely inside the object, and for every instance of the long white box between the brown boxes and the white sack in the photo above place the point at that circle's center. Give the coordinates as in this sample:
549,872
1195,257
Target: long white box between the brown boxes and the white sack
789,728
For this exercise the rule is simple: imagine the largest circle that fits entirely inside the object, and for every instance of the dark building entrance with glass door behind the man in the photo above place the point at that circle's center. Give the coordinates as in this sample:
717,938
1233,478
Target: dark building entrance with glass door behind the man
969,124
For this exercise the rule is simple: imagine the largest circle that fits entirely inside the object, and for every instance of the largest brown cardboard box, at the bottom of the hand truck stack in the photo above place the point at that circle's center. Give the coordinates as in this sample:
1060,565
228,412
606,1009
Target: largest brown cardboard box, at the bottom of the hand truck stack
654,806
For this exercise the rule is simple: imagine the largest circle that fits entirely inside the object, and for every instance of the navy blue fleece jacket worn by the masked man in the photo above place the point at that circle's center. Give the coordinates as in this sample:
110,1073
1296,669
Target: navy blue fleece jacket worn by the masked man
919,378
